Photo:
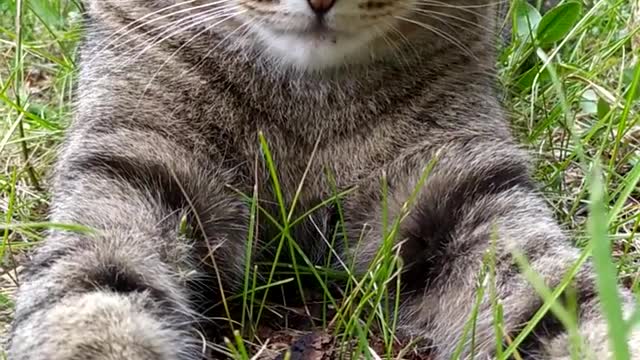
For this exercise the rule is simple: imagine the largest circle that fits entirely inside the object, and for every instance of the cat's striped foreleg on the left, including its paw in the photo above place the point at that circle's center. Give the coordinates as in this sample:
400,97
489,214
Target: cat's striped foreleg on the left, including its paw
123,291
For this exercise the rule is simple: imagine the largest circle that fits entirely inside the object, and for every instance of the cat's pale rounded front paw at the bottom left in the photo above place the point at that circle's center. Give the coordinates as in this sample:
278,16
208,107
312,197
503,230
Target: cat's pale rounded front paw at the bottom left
99,326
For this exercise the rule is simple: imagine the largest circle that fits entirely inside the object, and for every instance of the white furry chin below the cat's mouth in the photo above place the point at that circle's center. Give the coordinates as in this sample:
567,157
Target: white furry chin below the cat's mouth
316,51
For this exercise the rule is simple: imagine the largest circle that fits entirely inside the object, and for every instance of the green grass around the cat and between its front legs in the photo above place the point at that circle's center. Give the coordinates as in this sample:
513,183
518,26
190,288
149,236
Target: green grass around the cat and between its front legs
572,85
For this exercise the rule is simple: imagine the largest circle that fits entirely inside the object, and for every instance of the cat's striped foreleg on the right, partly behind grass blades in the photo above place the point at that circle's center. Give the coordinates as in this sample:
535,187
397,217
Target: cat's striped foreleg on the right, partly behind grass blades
478,190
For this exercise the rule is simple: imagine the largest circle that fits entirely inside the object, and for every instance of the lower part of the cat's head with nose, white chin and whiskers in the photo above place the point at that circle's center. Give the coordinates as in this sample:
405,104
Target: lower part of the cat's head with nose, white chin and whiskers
314,35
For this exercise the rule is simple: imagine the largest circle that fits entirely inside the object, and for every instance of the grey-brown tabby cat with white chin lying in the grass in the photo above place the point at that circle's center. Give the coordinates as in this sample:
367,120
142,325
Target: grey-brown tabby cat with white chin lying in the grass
171,100
